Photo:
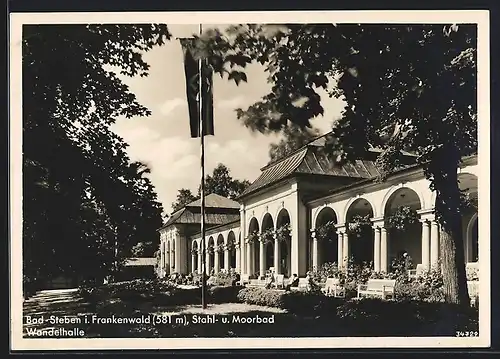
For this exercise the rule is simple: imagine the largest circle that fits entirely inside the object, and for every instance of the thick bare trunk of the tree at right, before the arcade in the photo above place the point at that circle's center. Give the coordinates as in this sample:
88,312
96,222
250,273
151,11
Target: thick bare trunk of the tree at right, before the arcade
452,245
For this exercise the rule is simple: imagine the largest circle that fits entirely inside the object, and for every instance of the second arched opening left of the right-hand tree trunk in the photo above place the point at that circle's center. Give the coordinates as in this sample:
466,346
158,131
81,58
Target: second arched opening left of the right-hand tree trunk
360,232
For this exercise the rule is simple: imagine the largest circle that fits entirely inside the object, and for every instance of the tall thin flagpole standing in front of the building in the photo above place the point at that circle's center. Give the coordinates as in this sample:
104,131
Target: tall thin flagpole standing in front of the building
202,187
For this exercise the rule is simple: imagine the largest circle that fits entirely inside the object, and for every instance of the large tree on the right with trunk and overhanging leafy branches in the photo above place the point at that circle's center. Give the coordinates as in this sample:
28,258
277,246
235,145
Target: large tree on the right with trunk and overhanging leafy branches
406,87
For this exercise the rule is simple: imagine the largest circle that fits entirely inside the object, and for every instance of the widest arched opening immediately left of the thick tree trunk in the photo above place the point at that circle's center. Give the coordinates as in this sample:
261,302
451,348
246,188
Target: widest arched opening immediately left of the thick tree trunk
404,231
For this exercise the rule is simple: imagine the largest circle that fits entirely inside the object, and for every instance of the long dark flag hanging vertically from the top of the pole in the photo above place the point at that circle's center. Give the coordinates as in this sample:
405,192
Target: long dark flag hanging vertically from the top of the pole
191,71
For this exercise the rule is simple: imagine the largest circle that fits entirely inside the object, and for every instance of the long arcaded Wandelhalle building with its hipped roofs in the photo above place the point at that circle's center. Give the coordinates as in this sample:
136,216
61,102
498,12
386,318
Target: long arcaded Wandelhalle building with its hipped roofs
279,221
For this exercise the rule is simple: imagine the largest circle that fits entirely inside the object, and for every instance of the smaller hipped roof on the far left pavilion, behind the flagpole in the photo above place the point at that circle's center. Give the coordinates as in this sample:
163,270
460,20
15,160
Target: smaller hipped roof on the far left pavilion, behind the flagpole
219,210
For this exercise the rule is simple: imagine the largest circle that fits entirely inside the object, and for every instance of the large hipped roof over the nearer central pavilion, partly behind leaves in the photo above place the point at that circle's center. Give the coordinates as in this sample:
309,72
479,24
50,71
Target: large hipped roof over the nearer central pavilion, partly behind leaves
312,159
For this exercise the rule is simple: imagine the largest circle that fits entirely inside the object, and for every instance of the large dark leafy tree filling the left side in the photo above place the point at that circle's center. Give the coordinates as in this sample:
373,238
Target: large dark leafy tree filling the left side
85,205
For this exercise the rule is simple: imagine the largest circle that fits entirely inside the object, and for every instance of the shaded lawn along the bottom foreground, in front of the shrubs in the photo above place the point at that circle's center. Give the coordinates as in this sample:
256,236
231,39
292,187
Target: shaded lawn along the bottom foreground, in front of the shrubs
143,310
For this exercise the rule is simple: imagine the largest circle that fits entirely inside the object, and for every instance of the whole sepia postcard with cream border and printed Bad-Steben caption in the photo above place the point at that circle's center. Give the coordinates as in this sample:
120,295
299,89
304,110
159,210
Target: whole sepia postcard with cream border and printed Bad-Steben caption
234,180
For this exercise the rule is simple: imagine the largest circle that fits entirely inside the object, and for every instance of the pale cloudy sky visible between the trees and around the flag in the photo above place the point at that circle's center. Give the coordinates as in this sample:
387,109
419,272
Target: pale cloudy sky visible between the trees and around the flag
163,141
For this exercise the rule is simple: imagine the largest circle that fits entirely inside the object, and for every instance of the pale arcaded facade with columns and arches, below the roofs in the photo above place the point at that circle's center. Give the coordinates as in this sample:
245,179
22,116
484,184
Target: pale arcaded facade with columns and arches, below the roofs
284,202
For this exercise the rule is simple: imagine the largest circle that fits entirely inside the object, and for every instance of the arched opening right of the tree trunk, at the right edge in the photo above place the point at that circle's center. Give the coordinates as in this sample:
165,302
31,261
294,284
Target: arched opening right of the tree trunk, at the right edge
469,186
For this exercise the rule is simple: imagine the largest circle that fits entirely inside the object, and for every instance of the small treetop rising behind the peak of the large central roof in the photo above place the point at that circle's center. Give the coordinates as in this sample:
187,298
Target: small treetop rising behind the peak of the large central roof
293,138
